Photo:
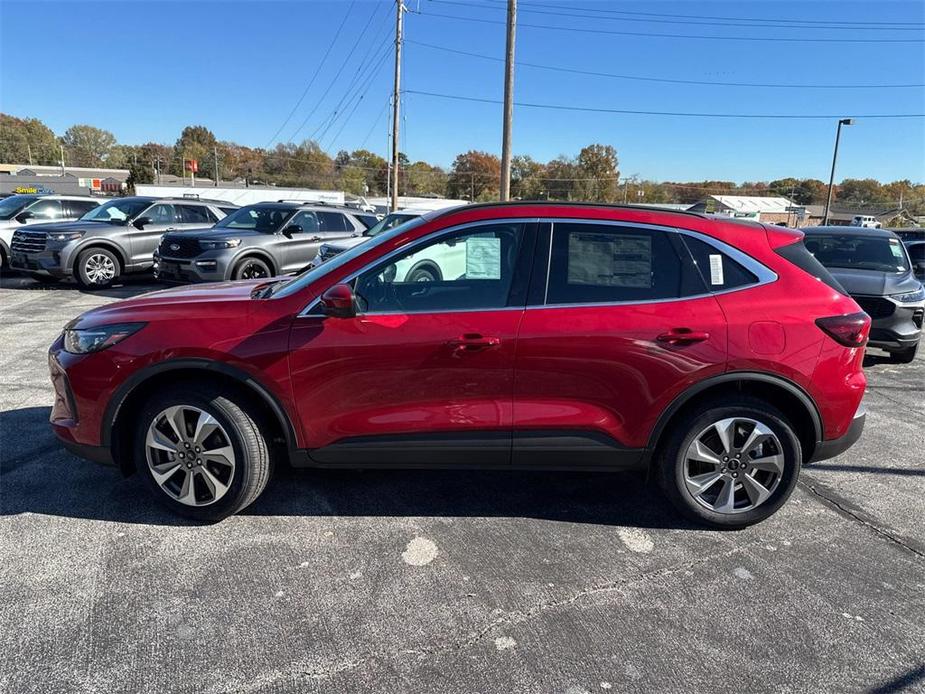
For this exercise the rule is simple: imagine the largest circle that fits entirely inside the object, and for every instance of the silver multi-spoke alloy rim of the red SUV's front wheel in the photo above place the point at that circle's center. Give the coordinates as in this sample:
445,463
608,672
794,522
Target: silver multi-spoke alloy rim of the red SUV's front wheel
189,455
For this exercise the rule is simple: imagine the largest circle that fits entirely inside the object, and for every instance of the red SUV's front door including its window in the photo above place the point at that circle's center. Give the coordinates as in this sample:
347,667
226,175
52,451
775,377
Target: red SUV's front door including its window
424,373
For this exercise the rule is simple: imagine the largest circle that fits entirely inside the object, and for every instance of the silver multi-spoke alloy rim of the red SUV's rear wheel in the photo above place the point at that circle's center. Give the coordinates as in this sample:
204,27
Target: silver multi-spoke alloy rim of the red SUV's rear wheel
734,465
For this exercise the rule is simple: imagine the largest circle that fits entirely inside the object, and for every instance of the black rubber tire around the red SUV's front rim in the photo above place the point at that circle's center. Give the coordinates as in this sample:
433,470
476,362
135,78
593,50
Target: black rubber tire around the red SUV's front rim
249,443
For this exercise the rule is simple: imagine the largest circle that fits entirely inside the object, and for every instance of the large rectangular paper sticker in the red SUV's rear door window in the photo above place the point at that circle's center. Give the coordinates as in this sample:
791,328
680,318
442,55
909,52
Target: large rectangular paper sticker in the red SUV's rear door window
610,260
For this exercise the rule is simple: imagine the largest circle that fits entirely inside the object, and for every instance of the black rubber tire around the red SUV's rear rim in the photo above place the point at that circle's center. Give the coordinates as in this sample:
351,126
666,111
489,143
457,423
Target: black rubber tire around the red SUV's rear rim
670,461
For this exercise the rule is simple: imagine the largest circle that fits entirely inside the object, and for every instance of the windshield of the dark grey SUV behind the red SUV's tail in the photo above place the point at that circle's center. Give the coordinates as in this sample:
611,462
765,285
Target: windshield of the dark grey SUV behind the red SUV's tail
851,251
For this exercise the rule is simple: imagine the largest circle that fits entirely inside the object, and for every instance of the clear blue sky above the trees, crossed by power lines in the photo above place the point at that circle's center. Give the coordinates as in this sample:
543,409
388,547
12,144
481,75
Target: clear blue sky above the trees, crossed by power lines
145,69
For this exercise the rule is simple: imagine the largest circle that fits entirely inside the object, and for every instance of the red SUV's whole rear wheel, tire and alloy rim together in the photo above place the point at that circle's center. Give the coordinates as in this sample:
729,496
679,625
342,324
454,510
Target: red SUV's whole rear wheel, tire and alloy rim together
730,464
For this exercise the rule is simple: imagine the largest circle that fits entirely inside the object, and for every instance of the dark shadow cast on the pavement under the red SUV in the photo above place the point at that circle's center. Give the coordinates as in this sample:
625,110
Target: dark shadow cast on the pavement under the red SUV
38,476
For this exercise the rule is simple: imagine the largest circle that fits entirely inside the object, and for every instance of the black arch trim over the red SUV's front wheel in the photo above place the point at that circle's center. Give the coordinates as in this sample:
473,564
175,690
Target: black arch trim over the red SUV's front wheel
124,390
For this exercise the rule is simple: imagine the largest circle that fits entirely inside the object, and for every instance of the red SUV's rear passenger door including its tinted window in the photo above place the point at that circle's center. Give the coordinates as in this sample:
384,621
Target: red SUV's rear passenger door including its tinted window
619,322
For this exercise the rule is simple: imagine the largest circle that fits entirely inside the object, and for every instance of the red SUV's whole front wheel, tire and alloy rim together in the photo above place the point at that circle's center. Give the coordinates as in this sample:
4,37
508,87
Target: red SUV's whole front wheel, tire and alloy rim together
202,453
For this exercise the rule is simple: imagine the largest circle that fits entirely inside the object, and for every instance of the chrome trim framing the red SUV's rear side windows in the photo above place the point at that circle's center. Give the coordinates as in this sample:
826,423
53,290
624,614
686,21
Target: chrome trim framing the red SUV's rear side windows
764,274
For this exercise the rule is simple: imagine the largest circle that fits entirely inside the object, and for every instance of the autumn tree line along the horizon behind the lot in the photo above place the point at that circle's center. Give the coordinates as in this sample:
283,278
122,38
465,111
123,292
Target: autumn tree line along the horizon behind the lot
593,174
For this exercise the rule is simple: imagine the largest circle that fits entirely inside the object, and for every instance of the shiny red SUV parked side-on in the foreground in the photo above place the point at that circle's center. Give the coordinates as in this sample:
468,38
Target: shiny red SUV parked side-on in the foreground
717,355
